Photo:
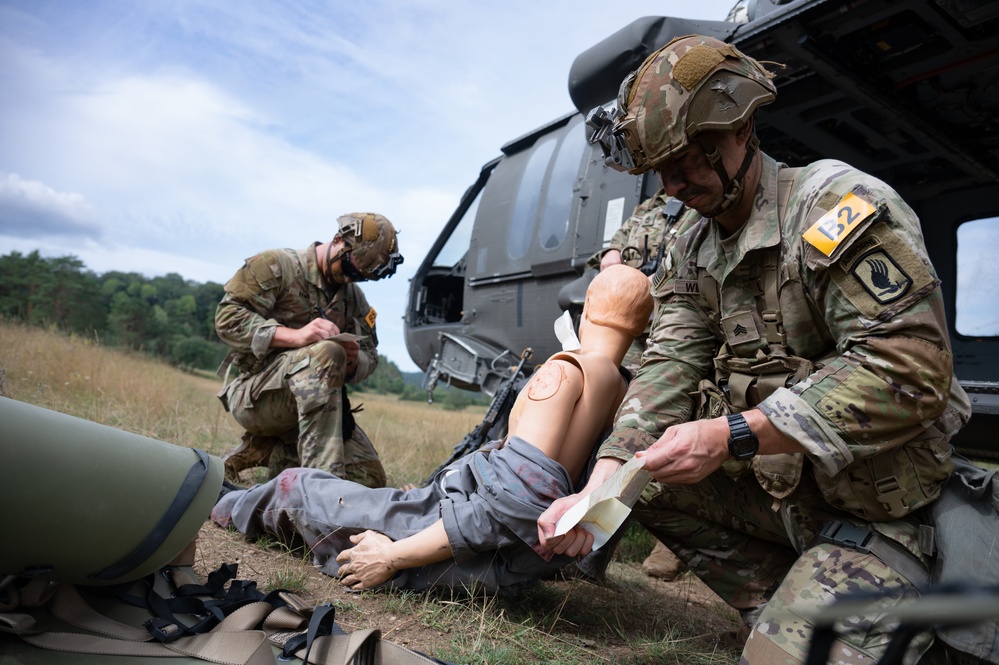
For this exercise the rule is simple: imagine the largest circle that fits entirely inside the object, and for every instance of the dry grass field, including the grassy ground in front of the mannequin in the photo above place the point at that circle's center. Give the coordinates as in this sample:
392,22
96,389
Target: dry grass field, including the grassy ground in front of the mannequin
629,619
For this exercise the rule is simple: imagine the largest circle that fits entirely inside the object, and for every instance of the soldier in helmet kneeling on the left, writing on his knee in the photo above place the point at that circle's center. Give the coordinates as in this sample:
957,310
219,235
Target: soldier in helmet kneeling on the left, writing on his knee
299,328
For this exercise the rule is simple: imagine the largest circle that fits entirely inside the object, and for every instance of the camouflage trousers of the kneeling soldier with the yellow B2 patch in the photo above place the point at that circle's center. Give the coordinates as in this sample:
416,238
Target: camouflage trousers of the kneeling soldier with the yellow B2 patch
755,550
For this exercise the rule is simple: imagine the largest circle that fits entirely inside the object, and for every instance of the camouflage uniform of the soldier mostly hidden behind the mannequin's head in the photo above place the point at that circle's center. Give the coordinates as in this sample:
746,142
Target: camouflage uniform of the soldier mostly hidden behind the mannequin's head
643,232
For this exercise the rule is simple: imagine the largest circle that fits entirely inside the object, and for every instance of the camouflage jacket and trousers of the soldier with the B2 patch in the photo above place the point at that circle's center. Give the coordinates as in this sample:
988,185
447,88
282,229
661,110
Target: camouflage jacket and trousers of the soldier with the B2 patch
833,326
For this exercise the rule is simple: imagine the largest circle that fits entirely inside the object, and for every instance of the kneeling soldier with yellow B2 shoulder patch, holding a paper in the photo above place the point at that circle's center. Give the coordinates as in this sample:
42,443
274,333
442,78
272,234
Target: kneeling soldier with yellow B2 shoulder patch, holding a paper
796,400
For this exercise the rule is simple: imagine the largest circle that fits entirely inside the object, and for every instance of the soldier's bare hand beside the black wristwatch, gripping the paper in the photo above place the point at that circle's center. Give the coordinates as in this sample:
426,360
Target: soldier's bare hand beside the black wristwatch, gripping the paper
689,452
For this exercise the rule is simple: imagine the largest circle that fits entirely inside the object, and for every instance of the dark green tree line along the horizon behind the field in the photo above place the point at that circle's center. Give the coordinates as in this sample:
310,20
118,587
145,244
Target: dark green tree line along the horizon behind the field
168,317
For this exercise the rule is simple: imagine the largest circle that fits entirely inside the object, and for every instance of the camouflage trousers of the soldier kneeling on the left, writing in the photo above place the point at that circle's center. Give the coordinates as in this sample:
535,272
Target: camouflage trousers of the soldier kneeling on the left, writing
293,413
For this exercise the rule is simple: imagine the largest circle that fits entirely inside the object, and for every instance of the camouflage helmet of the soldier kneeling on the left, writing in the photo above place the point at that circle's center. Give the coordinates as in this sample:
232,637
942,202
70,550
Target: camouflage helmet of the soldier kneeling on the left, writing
371,246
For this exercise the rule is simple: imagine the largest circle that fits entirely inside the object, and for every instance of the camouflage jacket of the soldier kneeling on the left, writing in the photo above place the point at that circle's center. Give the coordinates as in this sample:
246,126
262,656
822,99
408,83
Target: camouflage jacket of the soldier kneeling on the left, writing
283,287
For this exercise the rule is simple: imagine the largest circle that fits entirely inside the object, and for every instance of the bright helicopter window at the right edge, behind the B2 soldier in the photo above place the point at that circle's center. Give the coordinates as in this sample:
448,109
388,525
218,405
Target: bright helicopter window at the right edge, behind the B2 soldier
977,278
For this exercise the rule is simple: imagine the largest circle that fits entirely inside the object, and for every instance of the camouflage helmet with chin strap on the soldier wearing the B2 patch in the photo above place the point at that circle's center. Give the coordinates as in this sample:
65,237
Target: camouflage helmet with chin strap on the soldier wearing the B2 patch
692,85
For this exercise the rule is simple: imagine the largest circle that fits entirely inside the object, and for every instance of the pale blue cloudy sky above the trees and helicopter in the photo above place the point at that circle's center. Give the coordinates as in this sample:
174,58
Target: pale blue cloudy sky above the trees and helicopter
183,136
